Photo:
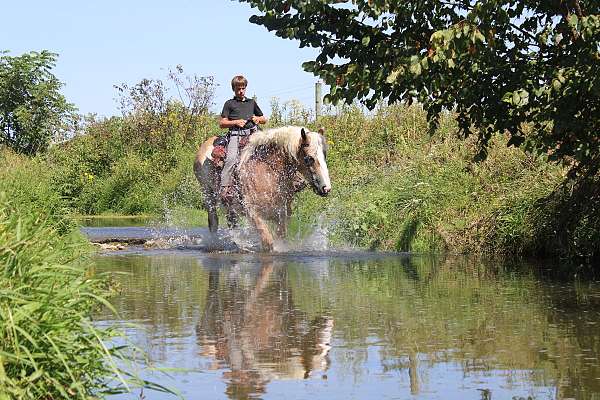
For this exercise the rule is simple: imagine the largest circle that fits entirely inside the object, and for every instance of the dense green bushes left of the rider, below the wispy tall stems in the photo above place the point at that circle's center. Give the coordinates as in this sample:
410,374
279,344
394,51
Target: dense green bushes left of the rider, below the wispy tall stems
110,169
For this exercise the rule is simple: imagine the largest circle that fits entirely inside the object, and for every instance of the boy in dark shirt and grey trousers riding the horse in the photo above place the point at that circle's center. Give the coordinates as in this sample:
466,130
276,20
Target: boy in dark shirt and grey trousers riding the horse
241,116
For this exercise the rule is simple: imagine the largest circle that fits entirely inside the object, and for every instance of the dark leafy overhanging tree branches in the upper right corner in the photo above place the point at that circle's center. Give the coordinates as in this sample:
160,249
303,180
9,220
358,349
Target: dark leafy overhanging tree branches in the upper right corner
530,69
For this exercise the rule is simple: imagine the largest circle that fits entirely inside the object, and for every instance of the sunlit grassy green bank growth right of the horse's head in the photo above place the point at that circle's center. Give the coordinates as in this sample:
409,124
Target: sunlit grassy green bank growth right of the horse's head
397,188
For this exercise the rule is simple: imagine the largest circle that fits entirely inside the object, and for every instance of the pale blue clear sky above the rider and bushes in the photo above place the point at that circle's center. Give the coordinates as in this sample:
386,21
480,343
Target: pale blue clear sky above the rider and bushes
101,44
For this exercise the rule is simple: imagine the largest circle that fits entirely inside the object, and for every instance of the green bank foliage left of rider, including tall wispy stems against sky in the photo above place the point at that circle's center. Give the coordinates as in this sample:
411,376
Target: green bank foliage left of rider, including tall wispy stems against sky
140,162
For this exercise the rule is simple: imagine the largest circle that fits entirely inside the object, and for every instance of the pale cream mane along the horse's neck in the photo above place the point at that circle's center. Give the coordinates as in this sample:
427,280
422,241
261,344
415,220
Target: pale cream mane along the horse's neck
287,138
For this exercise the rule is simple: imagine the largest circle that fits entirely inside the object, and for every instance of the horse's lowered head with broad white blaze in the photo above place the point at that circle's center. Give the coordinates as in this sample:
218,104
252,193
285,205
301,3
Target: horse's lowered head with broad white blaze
313,164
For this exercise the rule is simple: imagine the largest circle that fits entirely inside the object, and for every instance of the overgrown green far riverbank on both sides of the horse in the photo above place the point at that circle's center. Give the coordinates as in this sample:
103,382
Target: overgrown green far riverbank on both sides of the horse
395,187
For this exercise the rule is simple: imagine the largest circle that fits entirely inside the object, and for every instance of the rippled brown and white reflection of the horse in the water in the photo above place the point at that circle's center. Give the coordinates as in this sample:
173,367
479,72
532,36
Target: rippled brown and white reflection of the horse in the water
256,332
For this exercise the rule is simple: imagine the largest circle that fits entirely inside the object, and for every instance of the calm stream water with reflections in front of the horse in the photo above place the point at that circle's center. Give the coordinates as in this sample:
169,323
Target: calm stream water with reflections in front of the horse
353,325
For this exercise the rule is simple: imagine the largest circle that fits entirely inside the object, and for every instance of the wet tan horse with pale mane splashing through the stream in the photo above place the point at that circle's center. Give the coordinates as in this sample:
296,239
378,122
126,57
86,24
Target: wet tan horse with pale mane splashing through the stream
265,178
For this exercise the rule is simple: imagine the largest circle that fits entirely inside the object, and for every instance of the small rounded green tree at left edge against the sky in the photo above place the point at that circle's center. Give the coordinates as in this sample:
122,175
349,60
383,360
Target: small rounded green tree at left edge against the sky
32,111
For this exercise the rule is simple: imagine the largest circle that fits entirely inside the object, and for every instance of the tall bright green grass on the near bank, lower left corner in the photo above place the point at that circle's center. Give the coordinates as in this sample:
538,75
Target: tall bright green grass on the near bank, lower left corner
49,347
